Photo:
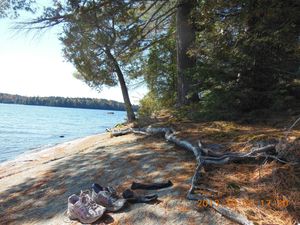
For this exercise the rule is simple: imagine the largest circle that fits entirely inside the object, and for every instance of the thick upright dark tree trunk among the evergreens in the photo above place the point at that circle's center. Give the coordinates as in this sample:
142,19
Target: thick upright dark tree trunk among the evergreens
185,37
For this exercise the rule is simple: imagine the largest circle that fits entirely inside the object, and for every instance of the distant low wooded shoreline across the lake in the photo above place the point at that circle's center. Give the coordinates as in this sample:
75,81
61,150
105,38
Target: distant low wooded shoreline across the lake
87,103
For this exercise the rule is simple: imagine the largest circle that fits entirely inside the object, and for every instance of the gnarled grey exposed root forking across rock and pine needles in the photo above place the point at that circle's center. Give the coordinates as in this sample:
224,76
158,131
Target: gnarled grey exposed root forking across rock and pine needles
205,156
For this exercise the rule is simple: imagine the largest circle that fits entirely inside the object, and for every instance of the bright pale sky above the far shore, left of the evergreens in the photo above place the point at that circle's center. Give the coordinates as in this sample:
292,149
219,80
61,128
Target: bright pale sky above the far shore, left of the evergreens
32,65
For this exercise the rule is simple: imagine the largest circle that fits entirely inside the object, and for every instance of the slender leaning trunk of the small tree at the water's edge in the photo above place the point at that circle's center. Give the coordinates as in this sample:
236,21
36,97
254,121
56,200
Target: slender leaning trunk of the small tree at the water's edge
128,106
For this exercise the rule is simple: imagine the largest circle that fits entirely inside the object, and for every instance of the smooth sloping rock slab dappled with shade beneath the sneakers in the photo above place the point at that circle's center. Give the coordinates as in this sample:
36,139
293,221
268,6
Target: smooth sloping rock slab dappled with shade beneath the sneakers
34,188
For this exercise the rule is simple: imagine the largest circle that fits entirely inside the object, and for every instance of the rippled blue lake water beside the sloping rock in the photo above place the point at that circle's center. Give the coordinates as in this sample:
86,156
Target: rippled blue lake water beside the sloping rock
24,127
